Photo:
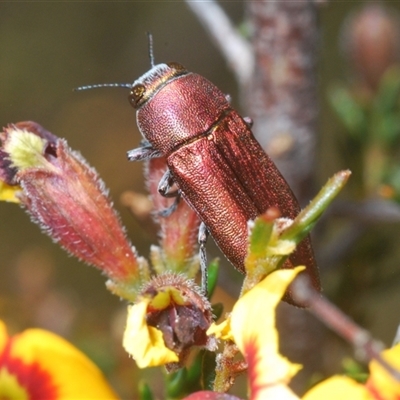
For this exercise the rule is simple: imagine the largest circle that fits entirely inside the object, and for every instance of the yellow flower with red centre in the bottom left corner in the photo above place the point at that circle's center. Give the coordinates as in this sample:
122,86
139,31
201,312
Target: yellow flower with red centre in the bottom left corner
37,364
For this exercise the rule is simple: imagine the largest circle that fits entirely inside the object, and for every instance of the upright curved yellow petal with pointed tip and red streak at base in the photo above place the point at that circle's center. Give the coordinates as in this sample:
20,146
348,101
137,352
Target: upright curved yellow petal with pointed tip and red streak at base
253,328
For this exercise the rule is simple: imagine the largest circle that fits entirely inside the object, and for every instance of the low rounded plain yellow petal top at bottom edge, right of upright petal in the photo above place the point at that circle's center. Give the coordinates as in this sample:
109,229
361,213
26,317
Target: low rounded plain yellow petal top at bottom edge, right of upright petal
338,387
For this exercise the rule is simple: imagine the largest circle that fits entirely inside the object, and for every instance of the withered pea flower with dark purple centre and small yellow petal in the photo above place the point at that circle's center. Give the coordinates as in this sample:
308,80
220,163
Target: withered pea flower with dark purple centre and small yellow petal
170,318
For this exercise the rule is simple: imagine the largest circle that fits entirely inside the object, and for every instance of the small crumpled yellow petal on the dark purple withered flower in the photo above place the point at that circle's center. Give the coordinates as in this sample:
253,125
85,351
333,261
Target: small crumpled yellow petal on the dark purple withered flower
145,343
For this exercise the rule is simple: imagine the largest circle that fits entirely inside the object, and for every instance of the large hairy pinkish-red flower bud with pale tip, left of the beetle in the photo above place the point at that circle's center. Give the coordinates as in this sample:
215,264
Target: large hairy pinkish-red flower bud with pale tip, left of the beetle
66,197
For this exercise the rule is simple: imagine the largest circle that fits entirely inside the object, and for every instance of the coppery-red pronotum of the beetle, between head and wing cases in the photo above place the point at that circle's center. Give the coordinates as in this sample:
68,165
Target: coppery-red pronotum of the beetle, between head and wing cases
182,109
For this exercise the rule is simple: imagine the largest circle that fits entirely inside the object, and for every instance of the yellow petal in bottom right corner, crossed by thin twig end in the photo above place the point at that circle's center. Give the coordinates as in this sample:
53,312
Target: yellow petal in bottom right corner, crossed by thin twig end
380,379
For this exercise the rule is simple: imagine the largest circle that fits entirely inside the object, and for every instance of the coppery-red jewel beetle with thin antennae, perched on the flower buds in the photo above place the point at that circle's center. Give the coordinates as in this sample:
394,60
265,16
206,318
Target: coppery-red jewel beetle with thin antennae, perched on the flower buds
220,169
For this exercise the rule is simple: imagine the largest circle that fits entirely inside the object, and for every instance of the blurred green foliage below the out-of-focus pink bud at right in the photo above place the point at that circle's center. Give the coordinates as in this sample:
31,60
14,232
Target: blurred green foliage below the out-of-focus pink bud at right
372,122
